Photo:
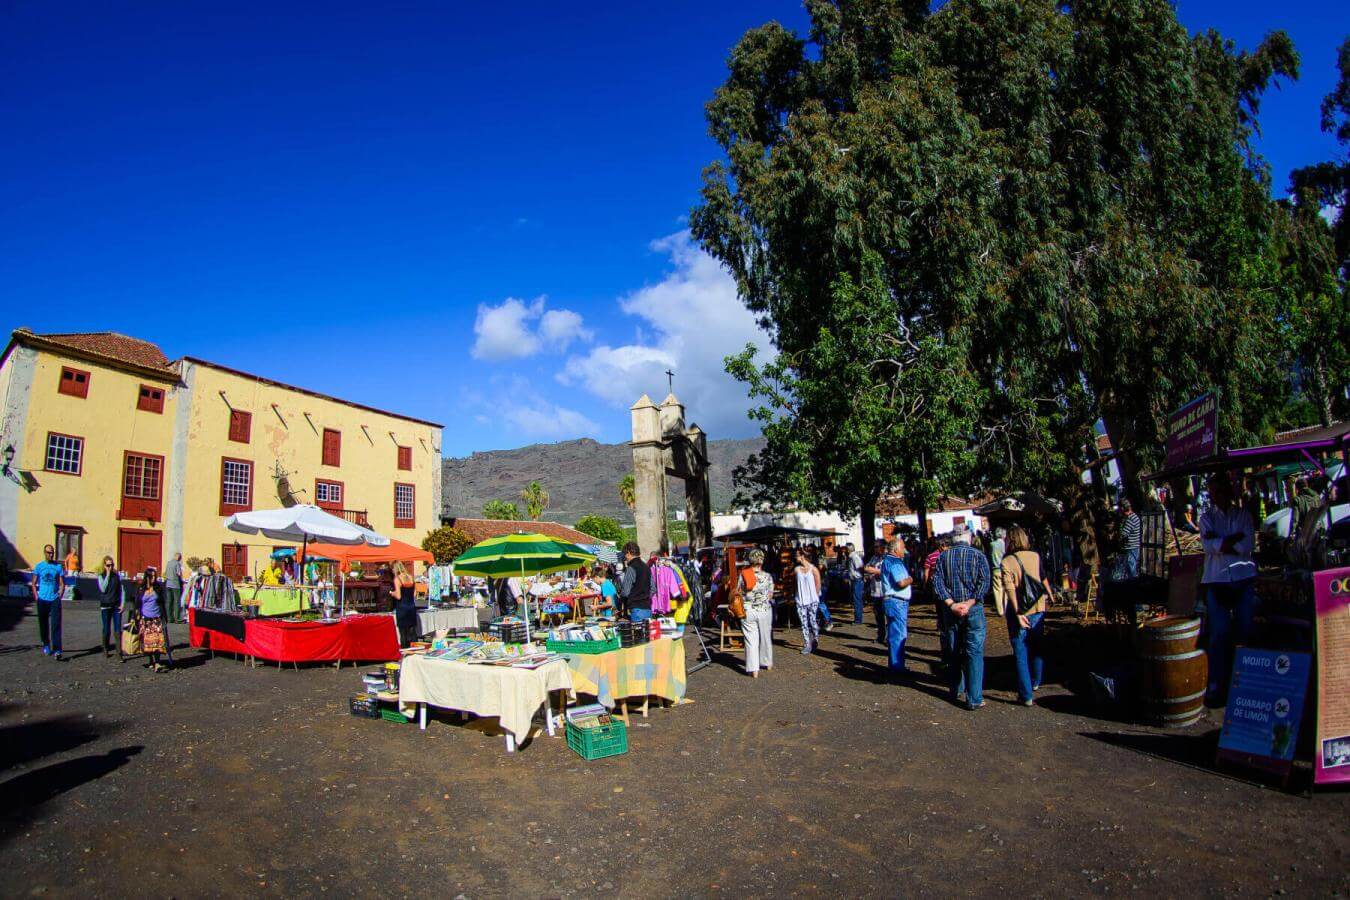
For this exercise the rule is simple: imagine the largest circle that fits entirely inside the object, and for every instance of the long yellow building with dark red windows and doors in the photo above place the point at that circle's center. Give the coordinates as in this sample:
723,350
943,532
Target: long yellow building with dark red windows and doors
119,451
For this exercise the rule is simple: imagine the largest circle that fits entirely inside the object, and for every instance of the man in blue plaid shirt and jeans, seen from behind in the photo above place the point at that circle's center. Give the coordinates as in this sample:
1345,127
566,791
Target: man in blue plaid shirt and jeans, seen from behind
962,581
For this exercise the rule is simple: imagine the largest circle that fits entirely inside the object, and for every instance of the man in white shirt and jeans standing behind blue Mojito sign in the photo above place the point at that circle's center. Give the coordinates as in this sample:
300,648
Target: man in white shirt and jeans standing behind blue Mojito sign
1229,539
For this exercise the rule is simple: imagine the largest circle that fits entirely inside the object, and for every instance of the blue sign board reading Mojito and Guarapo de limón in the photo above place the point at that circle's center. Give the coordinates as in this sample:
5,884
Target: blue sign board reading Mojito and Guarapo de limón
1266,705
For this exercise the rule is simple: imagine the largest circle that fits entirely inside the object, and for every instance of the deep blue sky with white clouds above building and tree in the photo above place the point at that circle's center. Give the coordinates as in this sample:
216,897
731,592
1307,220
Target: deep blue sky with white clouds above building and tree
465,213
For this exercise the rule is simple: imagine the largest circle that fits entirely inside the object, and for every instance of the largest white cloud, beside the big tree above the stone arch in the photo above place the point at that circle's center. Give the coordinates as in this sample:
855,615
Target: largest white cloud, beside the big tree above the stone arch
695,322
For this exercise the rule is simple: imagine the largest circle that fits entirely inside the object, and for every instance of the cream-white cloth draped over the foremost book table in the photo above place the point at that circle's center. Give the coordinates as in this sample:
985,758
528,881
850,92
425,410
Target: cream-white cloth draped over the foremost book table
514,696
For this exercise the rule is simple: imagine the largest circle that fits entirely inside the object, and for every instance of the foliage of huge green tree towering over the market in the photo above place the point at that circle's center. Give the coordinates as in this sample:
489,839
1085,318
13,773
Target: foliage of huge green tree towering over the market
1055,204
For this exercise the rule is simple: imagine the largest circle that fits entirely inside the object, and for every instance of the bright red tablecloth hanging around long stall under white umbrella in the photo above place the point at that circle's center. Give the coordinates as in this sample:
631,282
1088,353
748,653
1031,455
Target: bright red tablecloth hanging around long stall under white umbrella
365,639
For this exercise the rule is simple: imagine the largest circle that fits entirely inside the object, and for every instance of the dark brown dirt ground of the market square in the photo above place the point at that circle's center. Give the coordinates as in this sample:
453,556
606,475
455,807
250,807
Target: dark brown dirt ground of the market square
820,778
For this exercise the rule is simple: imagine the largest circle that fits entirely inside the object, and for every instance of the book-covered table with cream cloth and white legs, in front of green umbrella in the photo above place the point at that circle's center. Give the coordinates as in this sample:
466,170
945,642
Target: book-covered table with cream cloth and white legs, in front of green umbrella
514,690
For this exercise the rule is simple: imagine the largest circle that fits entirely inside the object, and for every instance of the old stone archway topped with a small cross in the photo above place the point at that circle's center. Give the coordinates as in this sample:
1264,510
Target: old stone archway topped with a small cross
665,447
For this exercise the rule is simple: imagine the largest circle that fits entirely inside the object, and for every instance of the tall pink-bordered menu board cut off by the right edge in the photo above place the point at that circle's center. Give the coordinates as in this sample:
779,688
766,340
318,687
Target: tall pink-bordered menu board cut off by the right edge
1332,755
